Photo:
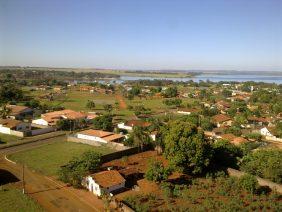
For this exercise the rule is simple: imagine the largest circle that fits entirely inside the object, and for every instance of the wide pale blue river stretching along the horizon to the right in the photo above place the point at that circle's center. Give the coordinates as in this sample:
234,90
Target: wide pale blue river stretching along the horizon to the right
214,78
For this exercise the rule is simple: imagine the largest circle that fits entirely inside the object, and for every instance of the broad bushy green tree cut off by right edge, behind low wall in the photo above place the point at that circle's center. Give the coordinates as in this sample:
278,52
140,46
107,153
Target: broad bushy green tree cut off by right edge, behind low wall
265,163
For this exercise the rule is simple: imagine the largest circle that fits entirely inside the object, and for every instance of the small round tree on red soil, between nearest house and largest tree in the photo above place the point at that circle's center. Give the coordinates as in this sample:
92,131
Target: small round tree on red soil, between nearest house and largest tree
156,172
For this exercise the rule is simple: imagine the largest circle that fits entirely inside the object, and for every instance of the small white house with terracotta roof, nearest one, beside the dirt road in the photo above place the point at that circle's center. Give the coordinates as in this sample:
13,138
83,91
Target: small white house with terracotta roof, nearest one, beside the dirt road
105,181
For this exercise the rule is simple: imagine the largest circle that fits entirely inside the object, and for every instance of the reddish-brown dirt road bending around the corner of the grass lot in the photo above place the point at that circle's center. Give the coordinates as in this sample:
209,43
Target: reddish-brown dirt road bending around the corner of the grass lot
49,193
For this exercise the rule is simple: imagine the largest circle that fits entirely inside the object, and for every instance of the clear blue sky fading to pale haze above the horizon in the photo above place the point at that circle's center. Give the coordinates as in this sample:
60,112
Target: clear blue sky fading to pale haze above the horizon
143,34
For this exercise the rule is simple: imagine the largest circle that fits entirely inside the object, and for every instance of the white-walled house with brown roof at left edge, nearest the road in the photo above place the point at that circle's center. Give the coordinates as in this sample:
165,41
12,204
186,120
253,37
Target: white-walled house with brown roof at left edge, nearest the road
8,126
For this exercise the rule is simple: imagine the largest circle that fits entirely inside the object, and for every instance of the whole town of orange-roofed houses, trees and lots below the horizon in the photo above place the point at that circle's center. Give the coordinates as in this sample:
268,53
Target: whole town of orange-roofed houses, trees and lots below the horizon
86,141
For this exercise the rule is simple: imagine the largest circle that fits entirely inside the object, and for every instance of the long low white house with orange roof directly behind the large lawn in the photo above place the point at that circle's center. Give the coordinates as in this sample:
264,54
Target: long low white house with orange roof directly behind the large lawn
100,136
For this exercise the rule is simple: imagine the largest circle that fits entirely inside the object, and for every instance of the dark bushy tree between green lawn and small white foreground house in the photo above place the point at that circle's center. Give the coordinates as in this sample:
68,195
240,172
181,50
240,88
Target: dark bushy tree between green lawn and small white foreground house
78,167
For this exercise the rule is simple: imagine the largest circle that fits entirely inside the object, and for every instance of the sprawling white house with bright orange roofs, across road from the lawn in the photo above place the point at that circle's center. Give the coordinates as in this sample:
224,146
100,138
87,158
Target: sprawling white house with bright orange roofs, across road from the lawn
50,119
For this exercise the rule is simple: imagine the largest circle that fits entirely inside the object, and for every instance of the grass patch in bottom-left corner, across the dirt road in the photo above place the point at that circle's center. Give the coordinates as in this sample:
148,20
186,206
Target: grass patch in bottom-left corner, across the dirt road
12,199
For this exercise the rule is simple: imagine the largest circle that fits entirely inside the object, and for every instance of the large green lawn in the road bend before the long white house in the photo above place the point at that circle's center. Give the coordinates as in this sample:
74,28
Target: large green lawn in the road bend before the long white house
48,158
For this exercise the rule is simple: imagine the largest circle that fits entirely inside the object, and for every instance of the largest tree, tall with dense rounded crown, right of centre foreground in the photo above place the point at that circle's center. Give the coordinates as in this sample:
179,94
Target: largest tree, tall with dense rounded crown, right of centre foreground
186,148
